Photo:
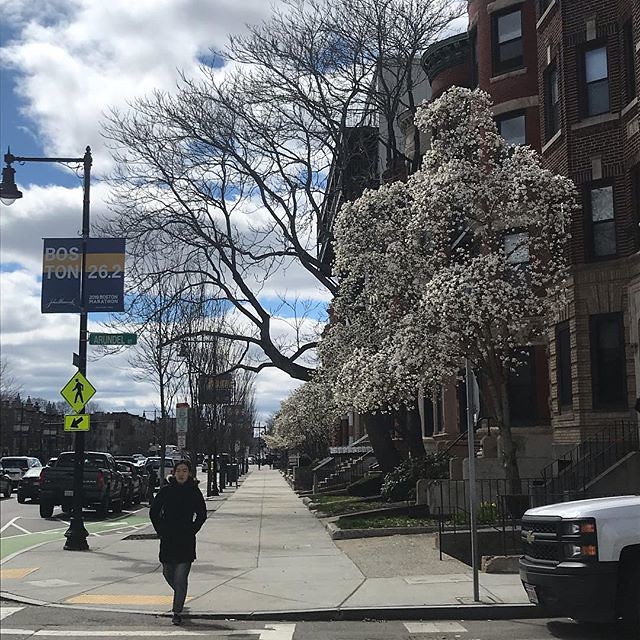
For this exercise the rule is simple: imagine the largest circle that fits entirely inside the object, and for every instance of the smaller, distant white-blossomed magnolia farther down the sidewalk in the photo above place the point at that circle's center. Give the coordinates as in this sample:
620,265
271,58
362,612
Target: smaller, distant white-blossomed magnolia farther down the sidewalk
306,420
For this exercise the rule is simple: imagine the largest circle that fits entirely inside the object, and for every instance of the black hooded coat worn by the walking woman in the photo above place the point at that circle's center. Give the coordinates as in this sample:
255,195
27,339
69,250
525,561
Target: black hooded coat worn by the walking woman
177,514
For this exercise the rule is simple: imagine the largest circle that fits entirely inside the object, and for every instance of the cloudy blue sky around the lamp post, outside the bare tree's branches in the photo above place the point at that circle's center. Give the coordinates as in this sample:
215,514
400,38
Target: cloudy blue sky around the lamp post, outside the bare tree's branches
63,64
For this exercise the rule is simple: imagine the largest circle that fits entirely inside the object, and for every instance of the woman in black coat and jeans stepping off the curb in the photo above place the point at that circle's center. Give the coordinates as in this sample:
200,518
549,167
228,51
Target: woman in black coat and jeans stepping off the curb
177,514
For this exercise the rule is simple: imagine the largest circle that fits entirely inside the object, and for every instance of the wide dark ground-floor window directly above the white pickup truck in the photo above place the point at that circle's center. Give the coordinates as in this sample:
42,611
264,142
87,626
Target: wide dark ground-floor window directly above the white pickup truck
608,375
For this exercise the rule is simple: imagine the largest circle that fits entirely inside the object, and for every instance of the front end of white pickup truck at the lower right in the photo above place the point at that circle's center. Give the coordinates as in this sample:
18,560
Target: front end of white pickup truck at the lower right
581,559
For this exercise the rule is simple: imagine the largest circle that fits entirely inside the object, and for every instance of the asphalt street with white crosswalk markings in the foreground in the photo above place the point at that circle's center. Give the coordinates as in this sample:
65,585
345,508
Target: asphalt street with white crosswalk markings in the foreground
28,621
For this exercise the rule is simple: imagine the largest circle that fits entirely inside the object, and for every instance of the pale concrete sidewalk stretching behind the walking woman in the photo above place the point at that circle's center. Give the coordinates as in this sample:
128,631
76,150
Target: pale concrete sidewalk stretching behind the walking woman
263,554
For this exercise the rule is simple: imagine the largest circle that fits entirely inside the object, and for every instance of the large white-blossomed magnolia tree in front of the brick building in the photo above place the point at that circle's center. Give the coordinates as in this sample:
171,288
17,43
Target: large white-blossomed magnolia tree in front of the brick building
464,260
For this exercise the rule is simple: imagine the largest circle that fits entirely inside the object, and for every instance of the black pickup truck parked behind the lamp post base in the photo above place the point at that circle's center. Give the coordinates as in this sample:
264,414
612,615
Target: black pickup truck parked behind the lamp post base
103,485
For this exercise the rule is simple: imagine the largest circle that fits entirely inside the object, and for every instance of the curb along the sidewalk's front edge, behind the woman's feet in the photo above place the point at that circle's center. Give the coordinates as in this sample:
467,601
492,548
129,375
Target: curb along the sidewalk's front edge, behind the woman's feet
434,612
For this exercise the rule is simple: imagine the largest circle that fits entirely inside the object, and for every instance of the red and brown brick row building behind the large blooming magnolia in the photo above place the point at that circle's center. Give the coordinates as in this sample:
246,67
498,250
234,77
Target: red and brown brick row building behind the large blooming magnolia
563,76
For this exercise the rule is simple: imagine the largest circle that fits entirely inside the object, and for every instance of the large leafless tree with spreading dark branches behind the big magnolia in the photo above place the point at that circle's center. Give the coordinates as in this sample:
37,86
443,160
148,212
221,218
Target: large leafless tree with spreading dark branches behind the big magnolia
227,177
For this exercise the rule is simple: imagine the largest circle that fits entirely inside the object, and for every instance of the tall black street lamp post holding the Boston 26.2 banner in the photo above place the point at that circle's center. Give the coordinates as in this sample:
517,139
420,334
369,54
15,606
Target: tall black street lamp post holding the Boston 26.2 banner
76,534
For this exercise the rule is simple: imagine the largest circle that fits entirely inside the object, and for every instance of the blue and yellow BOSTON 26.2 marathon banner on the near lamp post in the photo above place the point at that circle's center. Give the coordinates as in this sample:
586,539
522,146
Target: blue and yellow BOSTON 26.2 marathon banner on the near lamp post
104,268
